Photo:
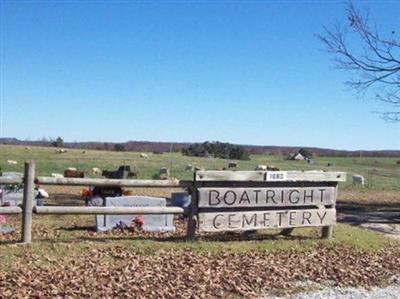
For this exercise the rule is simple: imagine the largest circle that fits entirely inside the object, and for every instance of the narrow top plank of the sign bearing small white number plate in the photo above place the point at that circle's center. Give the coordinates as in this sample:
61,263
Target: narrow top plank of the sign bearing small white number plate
271,176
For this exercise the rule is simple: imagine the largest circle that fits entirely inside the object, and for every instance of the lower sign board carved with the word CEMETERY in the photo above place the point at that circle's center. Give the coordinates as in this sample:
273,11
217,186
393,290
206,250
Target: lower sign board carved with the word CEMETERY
239,221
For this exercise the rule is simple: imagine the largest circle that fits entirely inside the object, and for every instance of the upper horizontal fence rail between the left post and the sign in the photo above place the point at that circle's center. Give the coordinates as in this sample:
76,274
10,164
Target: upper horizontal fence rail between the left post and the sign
111,182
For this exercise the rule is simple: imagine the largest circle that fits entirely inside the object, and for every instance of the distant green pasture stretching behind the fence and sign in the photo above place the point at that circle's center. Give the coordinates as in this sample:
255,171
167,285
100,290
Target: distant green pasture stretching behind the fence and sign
384,172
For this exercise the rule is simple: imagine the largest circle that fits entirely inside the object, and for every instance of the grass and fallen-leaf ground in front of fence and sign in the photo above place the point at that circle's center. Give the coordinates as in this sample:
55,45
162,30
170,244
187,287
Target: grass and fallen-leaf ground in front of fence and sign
67,259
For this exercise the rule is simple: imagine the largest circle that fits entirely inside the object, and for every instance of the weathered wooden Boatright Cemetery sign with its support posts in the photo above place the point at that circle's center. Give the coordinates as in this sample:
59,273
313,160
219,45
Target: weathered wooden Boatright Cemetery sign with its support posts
253,200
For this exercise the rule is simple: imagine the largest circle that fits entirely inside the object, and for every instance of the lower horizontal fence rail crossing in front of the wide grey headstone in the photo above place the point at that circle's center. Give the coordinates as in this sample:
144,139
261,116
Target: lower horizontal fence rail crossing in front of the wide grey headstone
106,210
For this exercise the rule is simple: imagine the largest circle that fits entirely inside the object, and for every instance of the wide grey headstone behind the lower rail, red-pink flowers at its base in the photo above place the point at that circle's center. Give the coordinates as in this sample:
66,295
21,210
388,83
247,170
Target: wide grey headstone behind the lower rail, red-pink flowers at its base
151,223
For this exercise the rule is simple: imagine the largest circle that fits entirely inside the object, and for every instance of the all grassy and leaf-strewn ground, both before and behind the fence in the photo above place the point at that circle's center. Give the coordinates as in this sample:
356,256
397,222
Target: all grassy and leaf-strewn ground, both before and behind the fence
68,258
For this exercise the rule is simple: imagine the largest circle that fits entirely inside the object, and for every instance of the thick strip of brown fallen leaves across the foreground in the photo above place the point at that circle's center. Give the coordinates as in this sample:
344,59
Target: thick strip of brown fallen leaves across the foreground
117,272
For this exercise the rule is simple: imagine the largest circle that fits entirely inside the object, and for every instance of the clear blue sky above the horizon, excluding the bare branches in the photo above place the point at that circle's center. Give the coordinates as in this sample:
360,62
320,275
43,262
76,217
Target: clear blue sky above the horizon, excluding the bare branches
242,72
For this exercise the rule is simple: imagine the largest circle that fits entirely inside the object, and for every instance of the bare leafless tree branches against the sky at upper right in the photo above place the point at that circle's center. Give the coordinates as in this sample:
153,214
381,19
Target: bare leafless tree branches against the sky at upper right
372,59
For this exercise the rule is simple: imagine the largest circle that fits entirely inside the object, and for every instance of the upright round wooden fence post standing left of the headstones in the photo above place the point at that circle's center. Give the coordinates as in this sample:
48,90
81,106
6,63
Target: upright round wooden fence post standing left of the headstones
29,176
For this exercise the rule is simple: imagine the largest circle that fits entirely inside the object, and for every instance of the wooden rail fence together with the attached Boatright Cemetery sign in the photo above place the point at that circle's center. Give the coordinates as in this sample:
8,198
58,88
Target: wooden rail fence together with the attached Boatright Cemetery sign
207,204
